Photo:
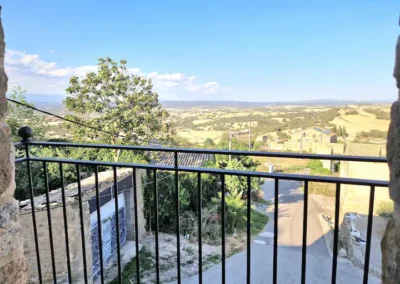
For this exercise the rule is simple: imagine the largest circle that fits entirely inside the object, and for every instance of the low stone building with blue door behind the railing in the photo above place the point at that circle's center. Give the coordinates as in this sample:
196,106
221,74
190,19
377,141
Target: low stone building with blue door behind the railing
108,211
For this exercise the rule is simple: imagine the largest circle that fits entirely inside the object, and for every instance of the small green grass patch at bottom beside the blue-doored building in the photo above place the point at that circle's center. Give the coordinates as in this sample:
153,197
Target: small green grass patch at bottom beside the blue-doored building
147,265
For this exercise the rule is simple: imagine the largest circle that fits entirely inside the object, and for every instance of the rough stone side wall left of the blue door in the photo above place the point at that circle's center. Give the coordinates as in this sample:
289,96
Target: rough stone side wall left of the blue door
75,244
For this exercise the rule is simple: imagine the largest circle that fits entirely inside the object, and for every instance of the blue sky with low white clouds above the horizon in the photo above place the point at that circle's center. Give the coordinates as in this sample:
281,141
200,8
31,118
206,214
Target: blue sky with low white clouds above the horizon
210,50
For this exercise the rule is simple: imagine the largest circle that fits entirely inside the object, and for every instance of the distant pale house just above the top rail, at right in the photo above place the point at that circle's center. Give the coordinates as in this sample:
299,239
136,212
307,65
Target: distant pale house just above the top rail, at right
314,134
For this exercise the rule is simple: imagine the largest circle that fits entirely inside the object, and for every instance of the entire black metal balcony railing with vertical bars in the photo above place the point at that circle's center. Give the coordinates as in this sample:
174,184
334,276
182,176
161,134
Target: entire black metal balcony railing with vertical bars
176,169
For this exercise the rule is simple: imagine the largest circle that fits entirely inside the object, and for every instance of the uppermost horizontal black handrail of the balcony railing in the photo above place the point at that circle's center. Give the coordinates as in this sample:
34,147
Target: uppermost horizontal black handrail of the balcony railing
214,151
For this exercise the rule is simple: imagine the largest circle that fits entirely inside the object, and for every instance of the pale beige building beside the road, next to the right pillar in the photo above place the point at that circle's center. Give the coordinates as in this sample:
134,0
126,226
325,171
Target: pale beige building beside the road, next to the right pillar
355,198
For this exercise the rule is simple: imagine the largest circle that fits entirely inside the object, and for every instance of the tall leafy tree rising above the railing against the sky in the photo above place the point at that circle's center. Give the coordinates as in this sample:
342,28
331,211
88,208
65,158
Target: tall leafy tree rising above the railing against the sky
115,101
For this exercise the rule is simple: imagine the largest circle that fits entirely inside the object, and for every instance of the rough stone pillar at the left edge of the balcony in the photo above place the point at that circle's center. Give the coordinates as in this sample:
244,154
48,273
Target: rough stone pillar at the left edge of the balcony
13,266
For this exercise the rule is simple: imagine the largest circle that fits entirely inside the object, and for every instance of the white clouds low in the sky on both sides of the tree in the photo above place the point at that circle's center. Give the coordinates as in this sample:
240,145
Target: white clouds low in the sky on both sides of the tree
39,76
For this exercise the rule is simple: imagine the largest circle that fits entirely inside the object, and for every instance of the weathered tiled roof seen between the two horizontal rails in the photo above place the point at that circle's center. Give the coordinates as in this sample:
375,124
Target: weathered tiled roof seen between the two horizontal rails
184,159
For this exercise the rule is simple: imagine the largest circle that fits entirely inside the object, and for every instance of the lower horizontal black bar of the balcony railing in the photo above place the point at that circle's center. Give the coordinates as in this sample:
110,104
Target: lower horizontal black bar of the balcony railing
296,177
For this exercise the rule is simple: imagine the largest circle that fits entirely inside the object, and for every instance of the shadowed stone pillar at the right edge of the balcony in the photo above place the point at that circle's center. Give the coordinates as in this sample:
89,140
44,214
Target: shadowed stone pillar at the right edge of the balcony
391,239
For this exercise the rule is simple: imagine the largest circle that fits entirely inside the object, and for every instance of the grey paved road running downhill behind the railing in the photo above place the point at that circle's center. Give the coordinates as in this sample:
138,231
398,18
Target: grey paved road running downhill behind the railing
319,264
